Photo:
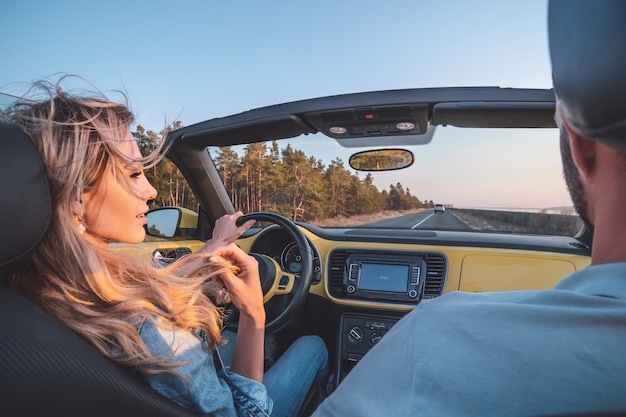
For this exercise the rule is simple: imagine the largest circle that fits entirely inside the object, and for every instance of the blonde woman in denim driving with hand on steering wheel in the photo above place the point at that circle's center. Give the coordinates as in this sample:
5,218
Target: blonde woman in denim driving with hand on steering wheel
159,322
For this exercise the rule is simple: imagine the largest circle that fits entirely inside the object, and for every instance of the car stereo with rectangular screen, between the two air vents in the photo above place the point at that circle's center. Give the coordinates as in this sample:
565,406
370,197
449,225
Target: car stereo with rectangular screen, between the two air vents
384,277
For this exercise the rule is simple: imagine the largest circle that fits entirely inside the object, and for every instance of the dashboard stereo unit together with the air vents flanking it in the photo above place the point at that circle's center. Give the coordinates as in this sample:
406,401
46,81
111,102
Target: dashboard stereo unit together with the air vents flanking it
386,276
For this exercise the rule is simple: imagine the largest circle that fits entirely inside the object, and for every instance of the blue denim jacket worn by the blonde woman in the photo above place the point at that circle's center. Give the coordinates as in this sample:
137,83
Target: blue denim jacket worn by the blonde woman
212,388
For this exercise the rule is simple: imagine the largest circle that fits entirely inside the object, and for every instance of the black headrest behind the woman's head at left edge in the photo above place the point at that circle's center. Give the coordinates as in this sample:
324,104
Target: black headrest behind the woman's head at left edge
25,206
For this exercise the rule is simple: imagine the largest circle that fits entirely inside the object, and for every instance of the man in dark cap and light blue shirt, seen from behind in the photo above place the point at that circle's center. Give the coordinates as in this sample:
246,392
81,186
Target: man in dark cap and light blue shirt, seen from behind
530,352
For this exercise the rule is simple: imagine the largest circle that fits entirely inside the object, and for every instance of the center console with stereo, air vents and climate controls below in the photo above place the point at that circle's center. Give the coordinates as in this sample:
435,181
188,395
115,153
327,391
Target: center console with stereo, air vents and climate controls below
372,280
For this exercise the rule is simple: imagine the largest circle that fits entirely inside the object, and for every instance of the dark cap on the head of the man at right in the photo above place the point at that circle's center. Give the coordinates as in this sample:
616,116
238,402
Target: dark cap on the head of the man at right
588,51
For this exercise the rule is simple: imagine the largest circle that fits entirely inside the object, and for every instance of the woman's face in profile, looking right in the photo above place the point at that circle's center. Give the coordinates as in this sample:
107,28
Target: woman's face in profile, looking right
112,212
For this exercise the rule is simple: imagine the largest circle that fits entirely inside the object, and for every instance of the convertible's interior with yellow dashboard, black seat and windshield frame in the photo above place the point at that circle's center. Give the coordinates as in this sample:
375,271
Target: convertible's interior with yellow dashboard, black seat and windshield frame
347,283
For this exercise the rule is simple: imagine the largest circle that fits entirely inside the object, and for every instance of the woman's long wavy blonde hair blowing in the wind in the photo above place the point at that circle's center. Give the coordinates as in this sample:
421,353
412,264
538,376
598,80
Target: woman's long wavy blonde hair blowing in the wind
100,294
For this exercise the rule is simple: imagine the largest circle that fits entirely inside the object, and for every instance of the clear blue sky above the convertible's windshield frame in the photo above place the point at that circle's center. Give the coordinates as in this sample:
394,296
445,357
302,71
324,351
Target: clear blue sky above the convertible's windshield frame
198,59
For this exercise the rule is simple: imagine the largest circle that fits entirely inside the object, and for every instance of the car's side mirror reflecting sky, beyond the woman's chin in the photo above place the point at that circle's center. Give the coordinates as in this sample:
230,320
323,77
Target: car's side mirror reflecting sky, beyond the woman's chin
172,222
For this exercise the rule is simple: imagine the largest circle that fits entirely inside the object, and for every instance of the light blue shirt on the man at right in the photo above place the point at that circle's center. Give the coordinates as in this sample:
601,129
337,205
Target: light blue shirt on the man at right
499,354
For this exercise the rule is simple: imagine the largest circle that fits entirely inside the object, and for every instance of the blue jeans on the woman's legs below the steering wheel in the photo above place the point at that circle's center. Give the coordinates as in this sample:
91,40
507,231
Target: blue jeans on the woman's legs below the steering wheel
289,380
